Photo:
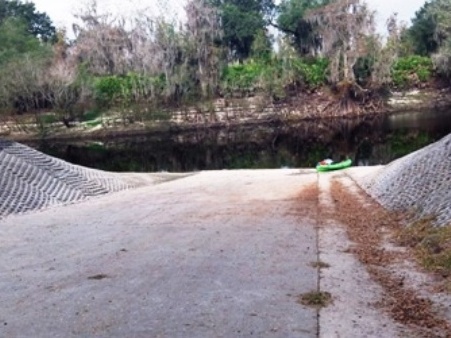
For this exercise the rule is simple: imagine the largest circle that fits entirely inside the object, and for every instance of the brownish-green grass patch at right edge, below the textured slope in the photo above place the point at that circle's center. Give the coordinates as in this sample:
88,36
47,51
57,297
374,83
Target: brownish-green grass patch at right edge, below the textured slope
432,245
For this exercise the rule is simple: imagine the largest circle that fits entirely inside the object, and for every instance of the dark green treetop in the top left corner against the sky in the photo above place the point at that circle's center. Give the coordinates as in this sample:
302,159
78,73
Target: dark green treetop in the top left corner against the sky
37,23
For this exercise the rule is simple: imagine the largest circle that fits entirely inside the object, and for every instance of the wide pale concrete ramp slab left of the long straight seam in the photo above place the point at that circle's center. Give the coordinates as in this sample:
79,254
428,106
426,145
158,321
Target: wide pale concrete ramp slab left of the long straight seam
217,254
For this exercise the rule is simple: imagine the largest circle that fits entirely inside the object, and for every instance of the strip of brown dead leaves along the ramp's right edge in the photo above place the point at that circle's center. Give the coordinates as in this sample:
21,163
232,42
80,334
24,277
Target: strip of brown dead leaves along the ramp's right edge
368,225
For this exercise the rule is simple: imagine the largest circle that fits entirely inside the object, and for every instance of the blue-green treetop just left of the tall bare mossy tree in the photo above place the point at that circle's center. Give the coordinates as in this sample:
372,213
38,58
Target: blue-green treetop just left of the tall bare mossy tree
304,34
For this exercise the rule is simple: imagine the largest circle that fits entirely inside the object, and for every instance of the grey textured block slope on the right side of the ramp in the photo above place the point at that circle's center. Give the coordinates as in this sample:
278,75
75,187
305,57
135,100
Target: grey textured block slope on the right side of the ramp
418,183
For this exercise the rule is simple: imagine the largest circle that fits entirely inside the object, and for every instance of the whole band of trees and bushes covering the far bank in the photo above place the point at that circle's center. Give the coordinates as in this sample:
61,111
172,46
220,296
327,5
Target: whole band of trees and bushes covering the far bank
144,67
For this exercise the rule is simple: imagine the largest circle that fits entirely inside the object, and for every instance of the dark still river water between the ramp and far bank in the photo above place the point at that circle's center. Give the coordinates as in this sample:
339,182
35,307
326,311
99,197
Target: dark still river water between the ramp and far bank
368,141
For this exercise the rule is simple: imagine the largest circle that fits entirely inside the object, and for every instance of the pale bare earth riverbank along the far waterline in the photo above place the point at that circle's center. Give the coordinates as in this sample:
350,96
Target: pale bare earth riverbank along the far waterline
221,113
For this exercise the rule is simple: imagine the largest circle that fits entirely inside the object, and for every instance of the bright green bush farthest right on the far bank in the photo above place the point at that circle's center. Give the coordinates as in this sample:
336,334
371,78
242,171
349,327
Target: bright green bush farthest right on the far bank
410,70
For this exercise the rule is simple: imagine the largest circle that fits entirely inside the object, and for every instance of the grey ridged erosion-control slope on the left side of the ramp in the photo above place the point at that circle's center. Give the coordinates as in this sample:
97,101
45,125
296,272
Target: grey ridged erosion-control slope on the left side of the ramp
31,180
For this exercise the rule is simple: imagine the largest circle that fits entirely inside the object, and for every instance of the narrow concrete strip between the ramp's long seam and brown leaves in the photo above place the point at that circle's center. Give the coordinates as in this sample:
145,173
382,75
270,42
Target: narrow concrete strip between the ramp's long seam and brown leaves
354,312
